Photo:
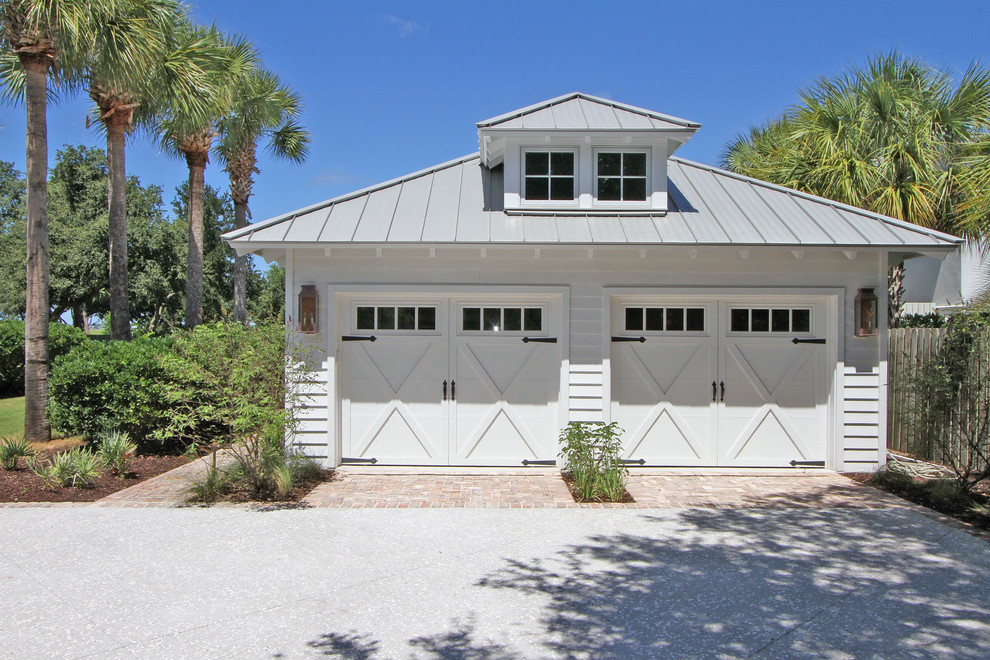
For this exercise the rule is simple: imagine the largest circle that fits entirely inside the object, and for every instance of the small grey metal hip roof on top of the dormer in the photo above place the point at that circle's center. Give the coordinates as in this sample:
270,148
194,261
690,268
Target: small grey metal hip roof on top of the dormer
577,111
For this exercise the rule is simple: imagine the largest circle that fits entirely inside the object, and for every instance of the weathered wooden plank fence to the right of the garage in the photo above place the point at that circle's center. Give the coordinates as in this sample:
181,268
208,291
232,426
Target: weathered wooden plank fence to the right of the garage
963,427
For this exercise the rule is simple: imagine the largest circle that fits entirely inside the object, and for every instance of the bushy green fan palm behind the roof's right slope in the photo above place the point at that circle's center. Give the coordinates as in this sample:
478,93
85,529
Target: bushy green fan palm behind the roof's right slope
890,138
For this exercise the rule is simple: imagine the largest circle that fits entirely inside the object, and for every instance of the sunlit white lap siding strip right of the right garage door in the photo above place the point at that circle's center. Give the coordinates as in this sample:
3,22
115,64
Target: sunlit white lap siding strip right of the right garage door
861,420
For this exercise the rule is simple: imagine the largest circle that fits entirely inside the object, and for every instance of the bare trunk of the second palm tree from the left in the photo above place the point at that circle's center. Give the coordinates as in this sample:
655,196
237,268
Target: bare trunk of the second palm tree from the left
120,313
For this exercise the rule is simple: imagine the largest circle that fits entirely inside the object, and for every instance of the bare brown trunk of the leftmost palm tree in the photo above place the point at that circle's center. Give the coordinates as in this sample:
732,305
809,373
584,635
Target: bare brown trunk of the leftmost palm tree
36,427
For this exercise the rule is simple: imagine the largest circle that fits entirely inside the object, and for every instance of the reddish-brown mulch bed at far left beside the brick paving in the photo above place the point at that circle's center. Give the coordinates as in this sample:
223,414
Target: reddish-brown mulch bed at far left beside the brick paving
22,485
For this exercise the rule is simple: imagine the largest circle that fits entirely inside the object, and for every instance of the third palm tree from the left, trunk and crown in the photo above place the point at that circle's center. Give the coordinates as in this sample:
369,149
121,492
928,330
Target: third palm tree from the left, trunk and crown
187,130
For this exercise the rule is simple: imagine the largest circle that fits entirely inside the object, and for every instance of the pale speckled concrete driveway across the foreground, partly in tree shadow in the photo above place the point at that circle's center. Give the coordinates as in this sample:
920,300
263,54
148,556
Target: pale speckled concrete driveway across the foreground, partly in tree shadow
231,582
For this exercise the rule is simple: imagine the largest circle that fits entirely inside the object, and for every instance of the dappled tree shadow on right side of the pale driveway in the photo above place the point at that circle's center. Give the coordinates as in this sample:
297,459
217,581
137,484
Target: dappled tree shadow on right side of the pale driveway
741,583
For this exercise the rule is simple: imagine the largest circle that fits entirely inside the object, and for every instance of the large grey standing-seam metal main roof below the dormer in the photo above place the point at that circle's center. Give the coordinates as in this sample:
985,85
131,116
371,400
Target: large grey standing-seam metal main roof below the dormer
708,206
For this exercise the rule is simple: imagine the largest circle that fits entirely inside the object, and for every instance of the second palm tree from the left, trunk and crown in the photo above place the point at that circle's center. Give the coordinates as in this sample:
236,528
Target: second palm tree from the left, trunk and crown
131,62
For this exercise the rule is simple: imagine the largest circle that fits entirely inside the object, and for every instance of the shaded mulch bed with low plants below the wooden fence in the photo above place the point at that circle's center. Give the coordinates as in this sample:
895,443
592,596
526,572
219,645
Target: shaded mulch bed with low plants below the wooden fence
942,495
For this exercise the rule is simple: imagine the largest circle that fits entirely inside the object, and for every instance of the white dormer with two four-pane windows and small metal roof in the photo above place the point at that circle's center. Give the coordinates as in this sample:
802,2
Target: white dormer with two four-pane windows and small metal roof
580,154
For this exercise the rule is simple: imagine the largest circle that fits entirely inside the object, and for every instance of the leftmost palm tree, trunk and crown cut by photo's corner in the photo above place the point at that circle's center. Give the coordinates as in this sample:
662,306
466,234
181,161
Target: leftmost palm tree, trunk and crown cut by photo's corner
41,38
